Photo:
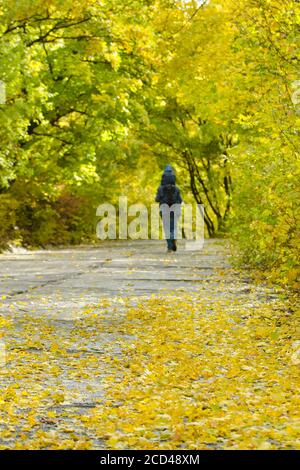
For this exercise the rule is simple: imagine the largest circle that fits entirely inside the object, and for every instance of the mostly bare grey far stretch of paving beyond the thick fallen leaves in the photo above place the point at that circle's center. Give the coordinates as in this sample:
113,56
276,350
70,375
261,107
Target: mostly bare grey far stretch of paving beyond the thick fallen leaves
61,282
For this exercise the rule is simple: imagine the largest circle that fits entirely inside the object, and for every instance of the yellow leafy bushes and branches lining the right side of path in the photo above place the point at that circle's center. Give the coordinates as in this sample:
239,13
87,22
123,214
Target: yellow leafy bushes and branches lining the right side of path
266,216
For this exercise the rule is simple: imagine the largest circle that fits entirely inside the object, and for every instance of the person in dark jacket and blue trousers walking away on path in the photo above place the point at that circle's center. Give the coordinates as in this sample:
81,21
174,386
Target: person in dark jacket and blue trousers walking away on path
169,198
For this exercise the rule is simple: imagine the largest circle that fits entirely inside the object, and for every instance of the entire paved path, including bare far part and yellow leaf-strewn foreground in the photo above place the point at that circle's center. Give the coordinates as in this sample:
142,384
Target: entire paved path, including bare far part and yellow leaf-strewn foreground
125,346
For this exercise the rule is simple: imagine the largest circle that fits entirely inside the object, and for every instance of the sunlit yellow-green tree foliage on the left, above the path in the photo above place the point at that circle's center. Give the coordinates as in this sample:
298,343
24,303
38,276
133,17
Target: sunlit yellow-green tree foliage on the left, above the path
72,74
